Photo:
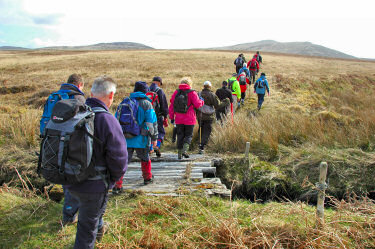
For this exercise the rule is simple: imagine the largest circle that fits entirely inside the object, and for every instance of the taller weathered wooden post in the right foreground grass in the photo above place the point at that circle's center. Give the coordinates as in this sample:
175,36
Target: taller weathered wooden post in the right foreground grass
321,186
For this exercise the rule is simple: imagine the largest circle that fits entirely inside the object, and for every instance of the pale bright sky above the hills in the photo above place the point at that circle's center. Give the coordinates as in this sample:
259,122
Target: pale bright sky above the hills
171,24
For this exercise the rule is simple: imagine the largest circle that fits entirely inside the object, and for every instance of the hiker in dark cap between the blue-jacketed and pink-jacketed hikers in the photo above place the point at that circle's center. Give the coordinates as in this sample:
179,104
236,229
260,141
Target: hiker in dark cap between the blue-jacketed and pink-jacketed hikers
162,114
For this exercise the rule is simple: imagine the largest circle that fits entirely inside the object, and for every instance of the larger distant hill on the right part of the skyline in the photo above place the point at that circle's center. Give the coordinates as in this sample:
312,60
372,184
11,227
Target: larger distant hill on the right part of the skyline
300,48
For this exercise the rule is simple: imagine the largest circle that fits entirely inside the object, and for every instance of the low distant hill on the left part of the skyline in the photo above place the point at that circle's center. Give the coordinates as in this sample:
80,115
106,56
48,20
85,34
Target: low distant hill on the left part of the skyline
103,46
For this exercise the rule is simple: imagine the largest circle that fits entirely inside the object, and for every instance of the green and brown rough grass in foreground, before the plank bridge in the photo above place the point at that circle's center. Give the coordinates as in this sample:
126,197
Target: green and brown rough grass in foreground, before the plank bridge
192,222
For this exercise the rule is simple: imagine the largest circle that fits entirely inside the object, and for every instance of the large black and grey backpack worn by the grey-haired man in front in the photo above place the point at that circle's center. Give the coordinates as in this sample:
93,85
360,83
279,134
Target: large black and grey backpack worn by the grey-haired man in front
66,150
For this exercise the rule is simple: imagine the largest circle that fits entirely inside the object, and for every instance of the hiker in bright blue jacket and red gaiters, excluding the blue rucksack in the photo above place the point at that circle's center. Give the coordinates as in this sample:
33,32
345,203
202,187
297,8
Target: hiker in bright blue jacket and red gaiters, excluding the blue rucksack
146,118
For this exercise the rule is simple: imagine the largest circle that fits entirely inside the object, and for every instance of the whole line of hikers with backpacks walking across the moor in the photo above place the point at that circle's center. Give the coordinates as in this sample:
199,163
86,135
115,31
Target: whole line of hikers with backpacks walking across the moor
87,149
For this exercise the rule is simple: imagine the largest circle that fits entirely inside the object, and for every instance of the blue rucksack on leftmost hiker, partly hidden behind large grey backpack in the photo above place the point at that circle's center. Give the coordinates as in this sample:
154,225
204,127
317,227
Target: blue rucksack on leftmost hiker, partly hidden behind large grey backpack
50,103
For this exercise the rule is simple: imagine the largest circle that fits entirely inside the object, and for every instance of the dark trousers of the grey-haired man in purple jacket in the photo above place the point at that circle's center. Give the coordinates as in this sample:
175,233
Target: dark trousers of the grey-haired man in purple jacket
90,218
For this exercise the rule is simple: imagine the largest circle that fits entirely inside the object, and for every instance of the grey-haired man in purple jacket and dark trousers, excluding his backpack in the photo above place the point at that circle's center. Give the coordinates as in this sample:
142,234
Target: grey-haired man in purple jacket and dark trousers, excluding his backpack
111,154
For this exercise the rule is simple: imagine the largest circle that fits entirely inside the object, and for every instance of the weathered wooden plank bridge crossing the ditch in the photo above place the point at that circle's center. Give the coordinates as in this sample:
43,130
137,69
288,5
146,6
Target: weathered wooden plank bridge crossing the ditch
175,177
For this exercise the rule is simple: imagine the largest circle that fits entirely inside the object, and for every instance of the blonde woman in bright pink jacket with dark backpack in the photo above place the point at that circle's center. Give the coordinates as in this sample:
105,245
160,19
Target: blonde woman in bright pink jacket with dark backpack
181,111
